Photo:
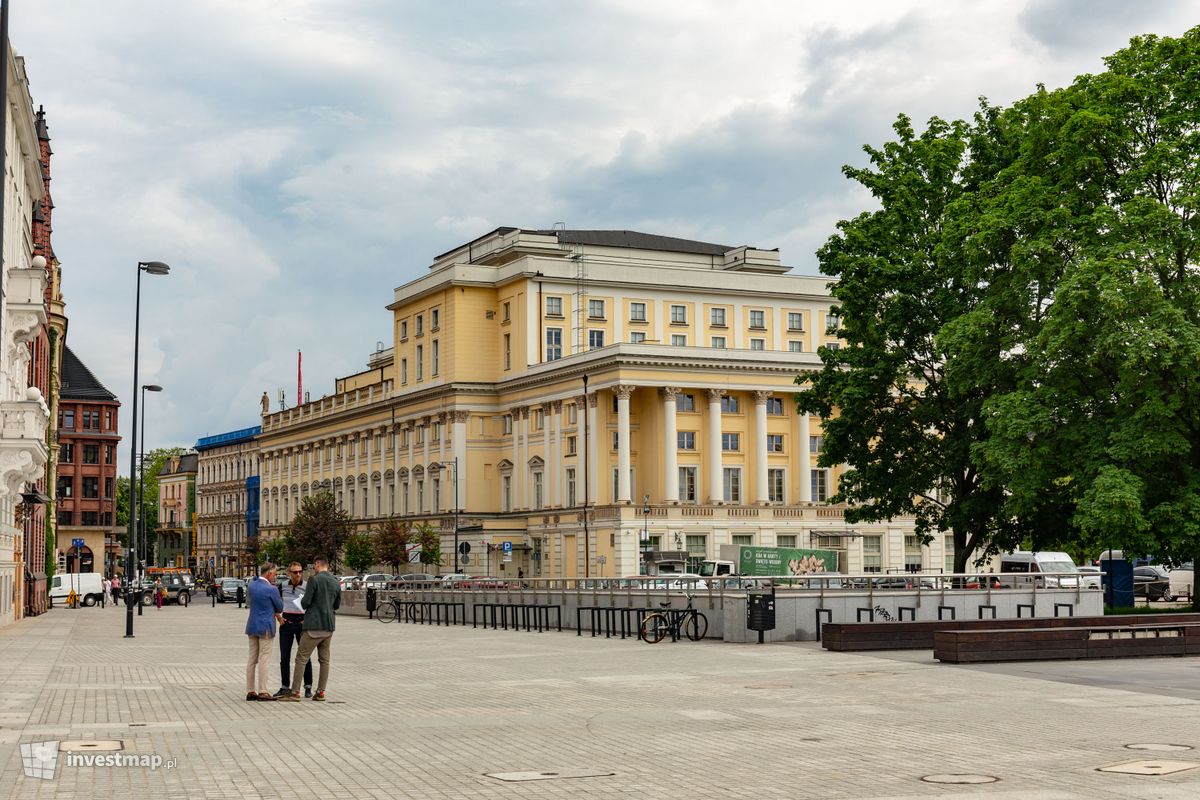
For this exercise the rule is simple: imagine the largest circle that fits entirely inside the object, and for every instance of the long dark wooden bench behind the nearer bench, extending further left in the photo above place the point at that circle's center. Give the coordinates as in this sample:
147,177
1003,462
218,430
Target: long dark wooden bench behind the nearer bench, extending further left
920,636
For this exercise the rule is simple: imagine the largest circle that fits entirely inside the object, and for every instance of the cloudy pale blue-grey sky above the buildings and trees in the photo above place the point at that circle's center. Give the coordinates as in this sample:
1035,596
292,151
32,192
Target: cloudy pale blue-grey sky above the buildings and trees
295,161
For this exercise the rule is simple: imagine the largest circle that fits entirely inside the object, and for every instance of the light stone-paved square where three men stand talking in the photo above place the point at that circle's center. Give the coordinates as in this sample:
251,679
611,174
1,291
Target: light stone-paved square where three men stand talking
419,712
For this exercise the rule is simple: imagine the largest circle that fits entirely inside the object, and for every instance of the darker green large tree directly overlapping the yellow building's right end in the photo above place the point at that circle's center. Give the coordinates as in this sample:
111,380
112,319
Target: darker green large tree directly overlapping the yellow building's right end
899,406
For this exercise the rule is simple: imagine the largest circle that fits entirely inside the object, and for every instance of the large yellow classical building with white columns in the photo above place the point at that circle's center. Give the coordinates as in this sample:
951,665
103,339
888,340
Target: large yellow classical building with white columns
538,374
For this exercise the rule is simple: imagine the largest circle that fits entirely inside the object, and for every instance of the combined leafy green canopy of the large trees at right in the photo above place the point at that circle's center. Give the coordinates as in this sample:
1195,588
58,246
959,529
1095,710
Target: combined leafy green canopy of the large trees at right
1022,318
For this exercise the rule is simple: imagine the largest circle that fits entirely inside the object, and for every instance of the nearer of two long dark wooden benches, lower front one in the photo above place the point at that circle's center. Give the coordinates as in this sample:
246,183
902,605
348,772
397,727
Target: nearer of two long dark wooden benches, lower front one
1046,643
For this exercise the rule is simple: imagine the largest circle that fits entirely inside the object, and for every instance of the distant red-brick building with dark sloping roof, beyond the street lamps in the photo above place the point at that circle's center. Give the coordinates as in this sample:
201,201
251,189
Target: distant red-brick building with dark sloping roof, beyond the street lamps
86,489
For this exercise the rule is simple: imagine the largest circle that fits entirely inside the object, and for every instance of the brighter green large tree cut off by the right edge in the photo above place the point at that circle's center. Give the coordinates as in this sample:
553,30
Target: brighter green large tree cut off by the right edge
1103,432
